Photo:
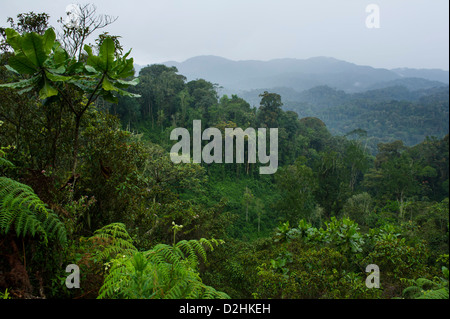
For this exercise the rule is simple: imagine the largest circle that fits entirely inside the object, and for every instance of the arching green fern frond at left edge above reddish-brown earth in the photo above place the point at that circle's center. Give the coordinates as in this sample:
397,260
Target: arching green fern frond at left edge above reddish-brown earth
22,209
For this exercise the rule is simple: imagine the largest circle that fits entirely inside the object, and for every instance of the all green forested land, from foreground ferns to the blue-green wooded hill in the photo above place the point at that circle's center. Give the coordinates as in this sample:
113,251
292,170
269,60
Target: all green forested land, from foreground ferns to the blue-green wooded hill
86,178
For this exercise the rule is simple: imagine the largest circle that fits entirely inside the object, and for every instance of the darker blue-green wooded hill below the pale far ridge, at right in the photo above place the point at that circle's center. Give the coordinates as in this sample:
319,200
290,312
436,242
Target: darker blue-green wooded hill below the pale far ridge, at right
386,114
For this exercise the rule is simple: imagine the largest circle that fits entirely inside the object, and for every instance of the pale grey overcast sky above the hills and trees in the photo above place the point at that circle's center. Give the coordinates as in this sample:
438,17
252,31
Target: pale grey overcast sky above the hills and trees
412,33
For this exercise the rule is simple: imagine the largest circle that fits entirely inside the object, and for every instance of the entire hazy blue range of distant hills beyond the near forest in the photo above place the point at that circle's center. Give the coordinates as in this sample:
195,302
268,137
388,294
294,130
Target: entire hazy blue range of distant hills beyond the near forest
406,104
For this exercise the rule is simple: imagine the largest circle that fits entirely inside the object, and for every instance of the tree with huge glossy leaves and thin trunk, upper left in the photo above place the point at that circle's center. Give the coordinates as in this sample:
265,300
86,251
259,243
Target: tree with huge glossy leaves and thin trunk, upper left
58,77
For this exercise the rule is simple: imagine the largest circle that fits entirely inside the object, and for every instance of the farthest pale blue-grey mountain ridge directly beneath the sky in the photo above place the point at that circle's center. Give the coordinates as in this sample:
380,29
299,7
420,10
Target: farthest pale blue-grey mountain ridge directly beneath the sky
303,74
